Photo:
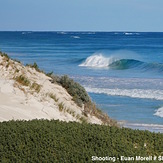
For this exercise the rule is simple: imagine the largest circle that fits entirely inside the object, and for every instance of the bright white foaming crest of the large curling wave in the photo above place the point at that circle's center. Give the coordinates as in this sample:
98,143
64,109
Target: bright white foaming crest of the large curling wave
98,60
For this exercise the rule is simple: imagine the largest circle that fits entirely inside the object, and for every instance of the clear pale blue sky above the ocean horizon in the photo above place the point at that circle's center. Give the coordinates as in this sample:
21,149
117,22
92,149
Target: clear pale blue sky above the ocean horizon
81,15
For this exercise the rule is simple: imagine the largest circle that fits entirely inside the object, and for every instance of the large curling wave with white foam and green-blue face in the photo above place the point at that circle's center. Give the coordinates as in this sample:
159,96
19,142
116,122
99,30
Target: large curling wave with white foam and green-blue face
99,61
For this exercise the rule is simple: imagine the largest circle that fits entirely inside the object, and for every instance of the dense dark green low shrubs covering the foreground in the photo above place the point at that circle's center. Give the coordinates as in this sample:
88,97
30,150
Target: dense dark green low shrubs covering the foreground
57,141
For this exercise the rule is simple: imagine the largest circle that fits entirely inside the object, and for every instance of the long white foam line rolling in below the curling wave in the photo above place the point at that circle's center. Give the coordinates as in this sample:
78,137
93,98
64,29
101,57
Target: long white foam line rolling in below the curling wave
134,93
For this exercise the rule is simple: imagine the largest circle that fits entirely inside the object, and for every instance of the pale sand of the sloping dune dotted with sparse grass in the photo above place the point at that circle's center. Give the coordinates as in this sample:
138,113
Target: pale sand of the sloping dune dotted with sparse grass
19,102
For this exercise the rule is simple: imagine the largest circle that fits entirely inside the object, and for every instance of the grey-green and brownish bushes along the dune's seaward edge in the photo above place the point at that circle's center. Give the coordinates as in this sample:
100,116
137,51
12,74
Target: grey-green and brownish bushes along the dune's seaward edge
81,98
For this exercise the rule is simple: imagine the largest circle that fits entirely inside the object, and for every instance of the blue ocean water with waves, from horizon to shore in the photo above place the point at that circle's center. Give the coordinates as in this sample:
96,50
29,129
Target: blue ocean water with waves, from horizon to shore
122,71
